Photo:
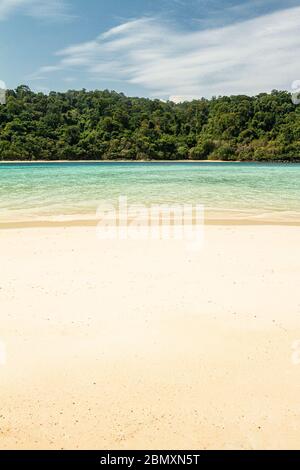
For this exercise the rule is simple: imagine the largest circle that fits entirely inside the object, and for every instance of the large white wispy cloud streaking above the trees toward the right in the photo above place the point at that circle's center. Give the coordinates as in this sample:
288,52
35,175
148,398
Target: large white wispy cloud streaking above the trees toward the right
247,57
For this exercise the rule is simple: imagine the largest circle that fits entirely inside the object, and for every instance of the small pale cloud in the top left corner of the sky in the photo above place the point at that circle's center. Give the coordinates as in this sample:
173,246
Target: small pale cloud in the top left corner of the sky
47,9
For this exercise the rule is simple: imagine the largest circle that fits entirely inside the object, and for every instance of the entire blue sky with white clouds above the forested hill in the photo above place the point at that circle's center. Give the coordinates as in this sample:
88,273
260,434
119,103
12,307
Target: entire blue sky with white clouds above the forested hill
166,49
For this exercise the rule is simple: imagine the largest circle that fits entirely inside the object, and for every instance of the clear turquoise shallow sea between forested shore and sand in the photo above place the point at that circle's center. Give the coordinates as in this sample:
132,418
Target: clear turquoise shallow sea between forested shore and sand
73,191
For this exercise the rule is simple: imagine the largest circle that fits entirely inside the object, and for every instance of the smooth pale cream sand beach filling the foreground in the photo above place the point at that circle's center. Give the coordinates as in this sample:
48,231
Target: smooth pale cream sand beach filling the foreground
145,345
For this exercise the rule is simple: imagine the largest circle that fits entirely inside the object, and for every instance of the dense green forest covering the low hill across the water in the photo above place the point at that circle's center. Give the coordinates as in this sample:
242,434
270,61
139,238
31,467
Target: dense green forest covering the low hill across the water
108,125
